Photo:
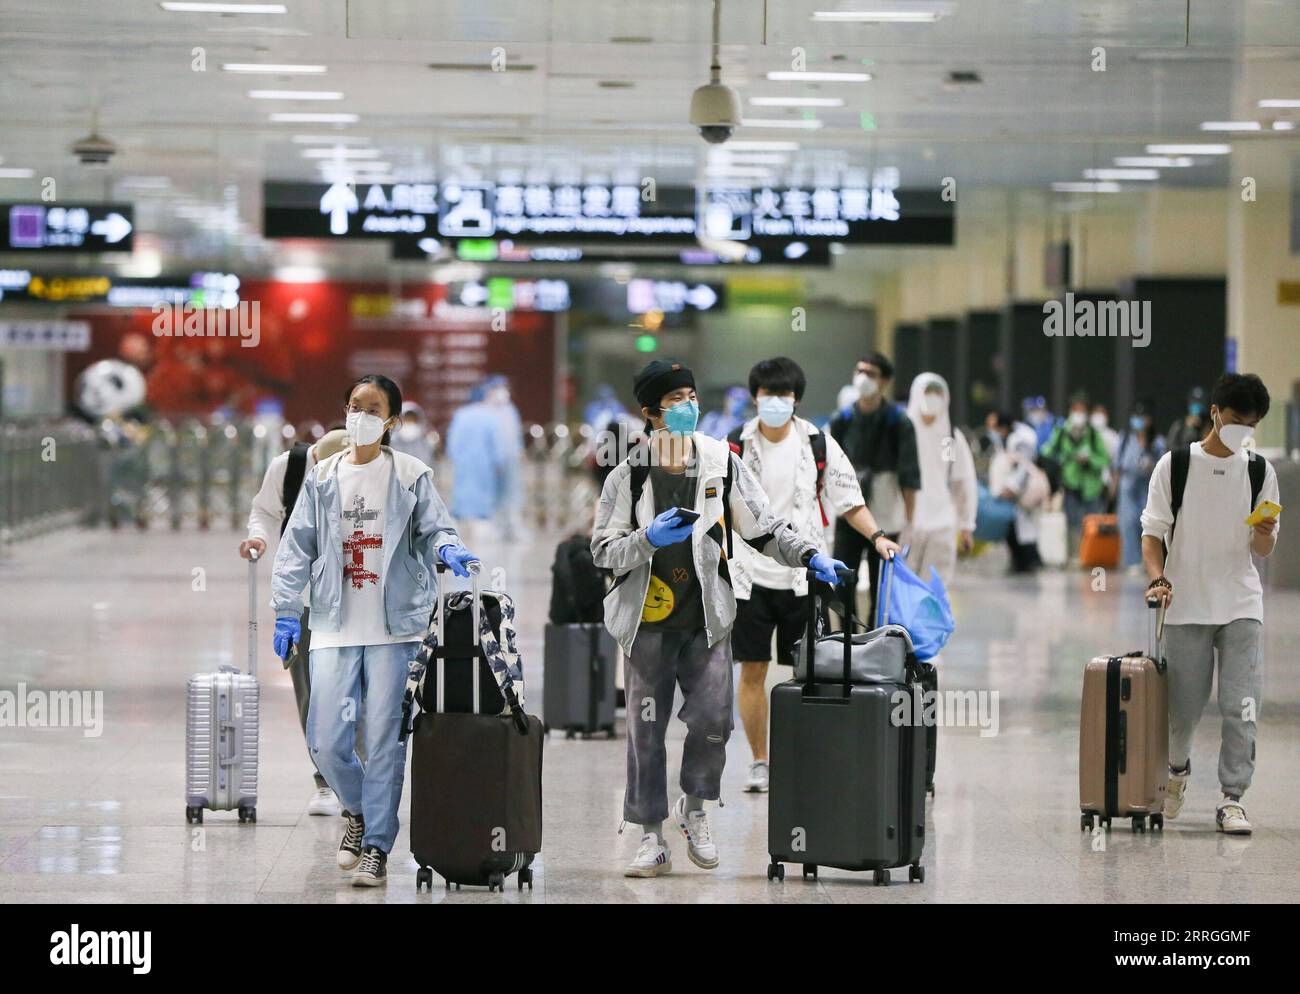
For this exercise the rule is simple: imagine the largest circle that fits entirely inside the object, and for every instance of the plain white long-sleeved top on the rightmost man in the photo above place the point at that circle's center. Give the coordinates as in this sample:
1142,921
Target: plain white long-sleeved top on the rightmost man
1210,559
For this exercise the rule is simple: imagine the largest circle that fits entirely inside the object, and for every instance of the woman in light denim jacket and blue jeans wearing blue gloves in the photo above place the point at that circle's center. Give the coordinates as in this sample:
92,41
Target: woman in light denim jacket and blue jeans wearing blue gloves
367,533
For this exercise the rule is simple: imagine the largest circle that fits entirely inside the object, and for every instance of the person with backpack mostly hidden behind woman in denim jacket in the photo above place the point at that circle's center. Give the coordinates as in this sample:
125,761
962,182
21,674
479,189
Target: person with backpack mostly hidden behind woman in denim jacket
268,516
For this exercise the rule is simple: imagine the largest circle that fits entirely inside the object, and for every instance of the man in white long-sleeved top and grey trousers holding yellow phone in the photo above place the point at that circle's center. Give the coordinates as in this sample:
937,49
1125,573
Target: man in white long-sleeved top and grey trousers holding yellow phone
1198,503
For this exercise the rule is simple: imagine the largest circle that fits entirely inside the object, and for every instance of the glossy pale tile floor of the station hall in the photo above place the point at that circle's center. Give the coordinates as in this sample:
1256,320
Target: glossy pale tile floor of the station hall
101,819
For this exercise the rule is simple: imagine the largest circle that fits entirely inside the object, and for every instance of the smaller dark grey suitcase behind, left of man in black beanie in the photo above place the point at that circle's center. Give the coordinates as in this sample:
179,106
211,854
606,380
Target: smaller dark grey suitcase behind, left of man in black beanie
578,687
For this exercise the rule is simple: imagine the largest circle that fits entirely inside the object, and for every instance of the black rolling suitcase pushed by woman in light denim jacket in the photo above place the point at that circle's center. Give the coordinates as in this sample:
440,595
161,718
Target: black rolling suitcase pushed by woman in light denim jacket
476,779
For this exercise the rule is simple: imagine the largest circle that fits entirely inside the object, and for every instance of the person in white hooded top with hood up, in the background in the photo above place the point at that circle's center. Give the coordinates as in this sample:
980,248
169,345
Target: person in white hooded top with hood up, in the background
946,503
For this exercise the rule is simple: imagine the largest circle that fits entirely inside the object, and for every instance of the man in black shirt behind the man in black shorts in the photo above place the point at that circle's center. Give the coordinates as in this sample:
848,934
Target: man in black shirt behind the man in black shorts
881,442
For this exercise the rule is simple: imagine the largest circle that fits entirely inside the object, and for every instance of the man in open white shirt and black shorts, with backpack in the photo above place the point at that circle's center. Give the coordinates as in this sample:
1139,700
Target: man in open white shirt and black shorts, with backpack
800,470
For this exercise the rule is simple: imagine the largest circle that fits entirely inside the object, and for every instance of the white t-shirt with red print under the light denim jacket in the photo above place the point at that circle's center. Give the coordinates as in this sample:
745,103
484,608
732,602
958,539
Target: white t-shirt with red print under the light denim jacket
365,496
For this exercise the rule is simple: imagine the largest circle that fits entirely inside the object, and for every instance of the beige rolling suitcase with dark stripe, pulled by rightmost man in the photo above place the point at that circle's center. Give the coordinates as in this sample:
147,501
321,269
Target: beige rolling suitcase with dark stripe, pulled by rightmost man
1124,736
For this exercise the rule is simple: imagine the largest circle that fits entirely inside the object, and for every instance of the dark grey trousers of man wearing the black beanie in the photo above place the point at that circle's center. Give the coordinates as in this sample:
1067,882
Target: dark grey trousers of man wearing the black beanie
660,661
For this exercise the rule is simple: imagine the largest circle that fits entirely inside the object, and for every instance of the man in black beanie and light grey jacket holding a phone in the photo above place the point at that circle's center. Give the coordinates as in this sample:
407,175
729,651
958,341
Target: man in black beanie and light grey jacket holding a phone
662,528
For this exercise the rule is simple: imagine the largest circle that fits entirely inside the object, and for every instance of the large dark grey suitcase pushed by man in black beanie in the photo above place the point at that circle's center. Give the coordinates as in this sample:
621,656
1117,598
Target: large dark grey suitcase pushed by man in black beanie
848,785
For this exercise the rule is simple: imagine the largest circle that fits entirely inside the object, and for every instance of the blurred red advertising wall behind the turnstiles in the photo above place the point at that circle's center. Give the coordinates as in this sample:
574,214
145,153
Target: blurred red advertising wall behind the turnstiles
305,344
